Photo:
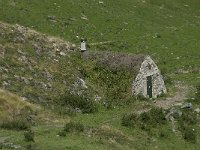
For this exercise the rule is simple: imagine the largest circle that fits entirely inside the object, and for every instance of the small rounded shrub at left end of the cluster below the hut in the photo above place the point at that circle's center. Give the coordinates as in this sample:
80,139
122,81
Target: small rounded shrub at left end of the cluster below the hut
129,120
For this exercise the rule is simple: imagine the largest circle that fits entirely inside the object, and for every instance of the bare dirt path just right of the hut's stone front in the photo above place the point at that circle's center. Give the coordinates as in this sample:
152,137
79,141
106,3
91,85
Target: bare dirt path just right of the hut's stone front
179,97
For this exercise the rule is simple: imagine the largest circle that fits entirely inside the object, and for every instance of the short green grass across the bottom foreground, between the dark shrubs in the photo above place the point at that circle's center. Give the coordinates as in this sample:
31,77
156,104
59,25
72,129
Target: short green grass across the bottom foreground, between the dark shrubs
103,131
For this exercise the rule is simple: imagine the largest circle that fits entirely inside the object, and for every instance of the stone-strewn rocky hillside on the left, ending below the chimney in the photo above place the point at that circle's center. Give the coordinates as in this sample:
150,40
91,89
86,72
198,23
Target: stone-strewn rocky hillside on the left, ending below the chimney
35,66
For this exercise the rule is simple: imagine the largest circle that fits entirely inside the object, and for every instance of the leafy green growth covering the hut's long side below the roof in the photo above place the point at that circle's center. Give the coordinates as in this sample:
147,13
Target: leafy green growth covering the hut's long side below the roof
113,84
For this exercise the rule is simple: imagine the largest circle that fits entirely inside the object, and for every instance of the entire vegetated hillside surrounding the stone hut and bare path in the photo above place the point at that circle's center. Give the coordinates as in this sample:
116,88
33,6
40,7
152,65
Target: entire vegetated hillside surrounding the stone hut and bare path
50,72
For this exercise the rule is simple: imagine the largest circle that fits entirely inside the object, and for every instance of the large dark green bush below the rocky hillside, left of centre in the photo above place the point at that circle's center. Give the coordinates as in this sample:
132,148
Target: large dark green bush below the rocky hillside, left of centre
85,104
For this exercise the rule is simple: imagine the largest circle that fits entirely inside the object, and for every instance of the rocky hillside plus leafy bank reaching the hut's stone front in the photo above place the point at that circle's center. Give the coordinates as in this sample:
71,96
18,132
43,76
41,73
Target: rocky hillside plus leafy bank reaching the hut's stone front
46,69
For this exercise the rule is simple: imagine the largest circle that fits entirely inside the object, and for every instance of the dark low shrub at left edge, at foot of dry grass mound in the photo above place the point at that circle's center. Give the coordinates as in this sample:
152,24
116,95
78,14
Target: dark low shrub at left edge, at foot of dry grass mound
16,124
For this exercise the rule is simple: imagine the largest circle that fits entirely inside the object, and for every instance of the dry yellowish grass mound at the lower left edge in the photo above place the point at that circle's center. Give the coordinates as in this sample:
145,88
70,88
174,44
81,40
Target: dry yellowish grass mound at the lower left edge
15,113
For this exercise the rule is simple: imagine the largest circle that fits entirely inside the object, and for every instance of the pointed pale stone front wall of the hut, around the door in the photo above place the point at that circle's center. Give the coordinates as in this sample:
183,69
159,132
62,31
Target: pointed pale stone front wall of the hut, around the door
149,68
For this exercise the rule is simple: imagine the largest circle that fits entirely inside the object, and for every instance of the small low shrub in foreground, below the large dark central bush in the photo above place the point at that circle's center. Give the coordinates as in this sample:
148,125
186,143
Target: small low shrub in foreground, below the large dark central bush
74,127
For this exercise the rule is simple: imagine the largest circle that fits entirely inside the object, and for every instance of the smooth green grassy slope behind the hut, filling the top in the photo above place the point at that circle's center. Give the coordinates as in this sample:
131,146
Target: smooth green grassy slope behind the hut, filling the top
134,25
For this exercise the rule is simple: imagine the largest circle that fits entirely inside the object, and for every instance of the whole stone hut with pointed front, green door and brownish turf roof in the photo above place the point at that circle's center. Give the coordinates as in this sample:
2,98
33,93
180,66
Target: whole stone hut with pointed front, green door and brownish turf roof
148,80
